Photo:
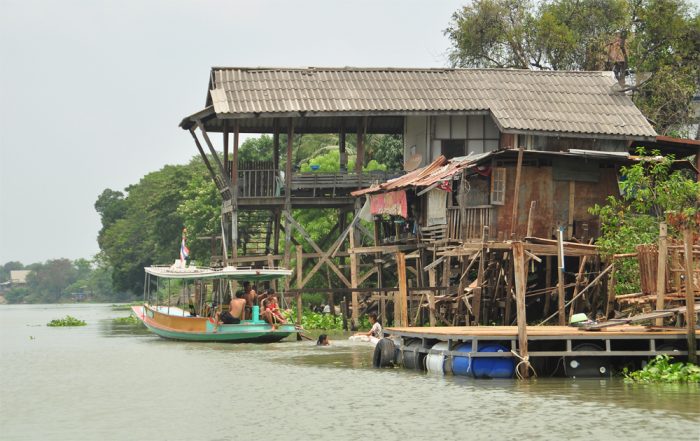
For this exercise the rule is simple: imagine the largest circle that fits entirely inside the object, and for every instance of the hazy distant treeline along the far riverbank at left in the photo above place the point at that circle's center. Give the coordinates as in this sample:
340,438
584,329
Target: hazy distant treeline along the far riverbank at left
60,280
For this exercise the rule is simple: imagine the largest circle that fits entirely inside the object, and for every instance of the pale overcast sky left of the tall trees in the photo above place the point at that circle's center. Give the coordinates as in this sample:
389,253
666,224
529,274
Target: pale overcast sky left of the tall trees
92,92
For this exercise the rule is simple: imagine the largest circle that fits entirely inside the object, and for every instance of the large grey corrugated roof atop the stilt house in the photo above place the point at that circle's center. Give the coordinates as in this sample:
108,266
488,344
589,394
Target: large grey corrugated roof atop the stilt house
520,100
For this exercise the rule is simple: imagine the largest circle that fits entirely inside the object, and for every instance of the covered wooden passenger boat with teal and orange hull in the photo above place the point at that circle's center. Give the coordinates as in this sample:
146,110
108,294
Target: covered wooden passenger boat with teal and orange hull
173,322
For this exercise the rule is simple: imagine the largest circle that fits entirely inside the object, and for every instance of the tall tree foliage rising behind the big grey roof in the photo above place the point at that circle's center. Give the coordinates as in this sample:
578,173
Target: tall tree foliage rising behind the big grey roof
652,45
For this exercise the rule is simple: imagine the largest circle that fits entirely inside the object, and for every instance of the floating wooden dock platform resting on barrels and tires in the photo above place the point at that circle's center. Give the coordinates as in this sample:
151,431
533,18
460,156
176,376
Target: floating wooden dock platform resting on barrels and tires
584,353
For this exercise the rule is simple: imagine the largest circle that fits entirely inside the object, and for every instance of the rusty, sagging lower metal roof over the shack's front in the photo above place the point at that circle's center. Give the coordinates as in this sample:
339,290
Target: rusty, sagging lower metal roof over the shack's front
443,169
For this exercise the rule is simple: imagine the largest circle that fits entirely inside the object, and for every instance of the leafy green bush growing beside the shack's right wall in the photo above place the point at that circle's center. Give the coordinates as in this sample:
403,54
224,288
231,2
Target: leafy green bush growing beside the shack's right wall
649,192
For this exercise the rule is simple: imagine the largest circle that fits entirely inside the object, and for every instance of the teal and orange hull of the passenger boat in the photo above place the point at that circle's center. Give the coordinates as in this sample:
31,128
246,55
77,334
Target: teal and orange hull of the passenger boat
205,330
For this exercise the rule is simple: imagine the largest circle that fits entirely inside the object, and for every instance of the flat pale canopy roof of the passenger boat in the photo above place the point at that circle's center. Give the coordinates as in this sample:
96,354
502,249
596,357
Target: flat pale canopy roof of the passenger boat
230,272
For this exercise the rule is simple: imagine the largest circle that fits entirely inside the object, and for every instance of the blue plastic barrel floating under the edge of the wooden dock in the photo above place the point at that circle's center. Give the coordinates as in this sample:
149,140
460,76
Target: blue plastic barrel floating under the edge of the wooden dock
483,367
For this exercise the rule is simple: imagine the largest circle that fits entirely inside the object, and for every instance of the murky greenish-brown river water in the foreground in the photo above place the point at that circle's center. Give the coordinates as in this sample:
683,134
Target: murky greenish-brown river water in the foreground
116,382
